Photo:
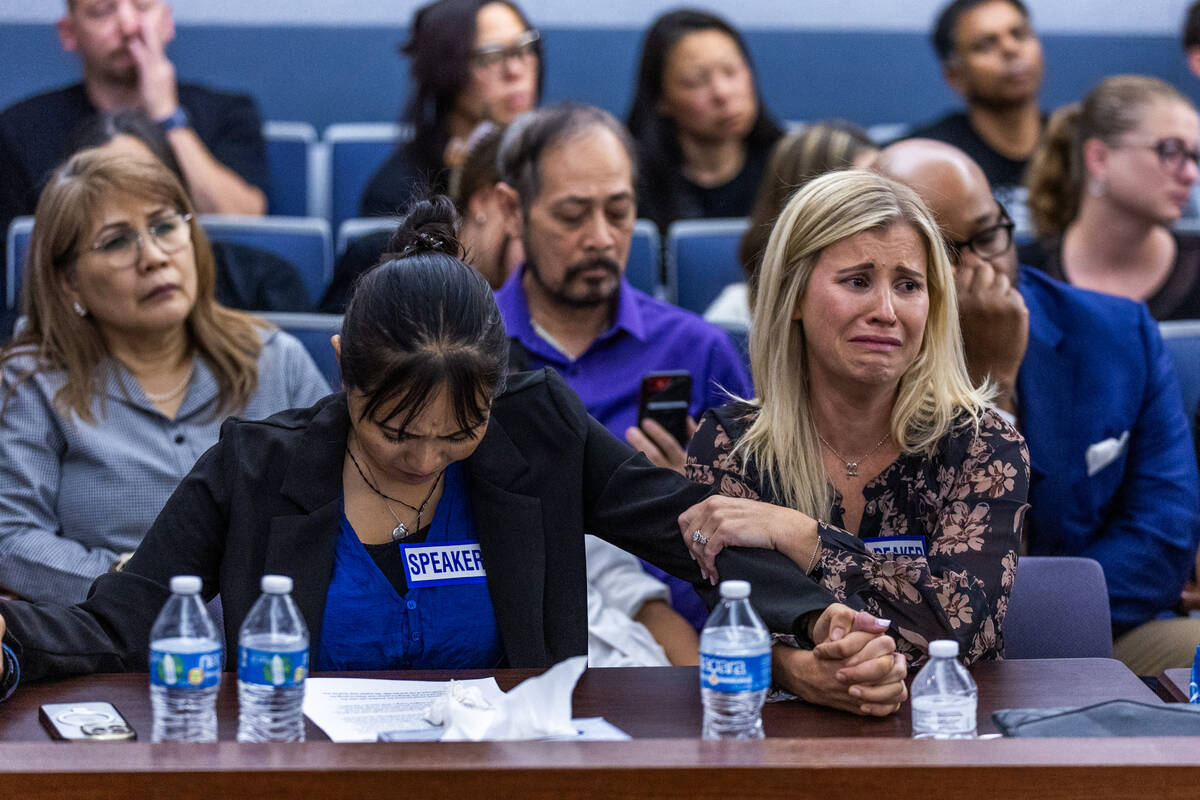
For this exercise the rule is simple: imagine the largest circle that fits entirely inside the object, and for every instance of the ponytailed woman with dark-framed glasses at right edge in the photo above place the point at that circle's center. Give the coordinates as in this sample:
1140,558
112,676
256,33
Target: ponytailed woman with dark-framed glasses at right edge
1111,178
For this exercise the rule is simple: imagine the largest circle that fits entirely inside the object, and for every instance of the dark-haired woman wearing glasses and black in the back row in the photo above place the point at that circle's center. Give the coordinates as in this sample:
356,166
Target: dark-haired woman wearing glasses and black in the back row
471,62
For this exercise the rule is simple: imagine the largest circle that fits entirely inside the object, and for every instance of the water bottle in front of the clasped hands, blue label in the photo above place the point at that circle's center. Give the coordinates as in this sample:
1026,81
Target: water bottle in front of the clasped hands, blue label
735,666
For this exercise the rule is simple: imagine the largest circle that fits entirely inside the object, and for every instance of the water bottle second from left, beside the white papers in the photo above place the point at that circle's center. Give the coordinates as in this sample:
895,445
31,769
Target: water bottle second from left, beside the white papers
273,663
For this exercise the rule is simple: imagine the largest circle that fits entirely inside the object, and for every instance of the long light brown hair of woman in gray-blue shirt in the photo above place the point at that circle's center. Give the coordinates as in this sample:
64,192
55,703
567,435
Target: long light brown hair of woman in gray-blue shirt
59,339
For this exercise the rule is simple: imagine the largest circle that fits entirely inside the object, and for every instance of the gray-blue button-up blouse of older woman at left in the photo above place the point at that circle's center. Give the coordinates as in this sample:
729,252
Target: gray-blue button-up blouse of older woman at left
75,496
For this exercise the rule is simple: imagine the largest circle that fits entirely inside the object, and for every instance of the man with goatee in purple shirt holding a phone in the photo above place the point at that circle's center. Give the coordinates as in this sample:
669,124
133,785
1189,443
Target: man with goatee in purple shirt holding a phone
568,182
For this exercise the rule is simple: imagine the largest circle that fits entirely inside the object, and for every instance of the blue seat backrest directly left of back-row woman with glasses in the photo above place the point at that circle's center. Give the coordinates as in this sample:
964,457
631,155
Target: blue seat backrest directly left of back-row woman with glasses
356,152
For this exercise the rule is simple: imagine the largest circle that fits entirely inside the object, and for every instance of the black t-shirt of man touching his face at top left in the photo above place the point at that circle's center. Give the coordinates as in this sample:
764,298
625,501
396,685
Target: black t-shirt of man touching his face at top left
35,135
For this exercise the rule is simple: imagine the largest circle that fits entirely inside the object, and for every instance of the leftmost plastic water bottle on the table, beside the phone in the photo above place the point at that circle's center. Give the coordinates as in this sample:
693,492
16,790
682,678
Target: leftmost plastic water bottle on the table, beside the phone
185,666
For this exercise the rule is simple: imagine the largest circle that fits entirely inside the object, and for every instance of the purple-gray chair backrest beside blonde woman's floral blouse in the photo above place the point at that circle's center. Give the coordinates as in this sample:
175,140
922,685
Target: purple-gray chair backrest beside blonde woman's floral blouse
1059,610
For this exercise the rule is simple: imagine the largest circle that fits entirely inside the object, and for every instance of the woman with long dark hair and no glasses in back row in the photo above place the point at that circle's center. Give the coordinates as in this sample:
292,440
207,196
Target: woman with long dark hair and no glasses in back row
703,131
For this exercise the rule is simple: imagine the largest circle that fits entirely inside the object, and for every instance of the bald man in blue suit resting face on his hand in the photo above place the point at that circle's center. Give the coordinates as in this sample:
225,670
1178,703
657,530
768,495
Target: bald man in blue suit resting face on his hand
1088,382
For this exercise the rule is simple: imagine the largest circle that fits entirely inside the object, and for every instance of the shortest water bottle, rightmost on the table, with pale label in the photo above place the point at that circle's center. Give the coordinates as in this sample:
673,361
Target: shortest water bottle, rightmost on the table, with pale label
944,696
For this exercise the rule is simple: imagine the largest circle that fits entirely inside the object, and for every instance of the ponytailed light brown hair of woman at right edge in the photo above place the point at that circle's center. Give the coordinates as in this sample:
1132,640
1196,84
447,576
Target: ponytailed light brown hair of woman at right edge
1057,176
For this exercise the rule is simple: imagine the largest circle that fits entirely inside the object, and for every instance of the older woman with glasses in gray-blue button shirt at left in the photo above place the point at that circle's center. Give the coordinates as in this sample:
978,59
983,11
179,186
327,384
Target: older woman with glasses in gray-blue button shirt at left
123,372
